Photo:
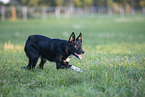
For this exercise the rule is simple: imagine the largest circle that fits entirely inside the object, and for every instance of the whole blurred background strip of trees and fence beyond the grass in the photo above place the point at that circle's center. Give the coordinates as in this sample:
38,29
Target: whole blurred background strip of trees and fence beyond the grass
68,8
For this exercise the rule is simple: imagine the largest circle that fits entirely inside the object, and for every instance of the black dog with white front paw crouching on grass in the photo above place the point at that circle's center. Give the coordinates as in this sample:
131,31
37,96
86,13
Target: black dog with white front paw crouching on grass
54,50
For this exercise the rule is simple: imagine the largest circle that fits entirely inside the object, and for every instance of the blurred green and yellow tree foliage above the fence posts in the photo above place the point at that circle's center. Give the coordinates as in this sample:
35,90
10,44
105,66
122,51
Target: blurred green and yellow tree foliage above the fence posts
81,3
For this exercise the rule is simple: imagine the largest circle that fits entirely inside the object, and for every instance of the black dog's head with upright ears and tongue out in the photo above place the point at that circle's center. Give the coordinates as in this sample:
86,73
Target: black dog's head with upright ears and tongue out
75,45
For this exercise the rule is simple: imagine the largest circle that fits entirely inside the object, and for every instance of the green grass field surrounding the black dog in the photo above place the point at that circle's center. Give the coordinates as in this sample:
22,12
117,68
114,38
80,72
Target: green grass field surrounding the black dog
113,66
